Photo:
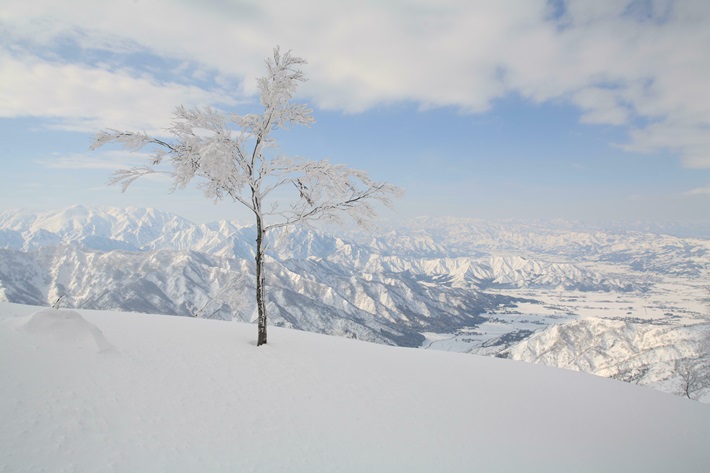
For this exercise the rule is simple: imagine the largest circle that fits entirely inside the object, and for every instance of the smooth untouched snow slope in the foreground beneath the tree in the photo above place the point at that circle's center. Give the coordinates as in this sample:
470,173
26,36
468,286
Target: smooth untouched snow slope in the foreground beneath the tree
90,391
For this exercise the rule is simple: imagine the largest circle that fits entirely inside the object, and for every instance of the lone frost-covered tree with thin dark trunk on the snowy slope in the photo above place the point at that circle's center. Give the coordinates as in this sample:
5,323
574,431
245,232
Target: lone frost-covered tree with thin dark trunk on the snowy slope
236,157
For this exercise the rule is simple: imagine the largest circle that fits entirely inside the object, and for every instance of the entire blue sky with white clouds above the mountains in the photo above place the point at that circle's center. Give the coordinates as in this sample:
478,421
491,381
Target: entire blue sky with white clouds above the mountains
583,109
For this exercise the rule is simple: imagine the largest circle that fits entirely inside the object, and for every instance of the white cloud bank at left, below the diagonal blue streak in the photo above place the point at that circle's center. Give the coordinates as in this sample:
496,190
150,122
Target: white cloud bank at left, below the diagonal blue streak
90,98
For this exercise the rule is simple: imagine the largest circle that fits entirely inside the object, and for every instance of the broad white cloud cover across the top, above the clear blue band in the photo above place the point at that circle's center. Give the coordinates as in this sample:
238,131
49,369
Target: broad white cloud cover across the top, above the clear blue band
642,64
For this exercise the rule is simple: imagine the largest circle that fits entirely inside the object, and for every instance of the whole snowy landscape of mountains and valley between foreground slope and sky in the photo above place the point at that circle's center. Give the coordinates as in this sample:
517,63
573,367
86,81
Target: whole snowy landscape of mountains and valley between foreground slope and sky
498,289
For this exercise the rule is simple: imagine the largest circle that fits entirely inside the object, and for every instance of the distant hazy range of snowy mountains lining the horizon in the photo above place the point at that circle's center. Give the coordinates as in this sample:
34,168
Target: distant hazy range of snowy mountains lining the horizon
421,238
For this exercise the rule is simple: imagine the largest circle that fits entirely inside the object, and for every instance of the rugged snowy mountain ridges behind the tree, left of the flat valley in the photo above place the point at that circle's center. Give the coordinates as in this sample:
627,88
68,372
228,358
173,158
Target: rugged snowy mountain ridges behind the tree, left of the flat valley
149,261
